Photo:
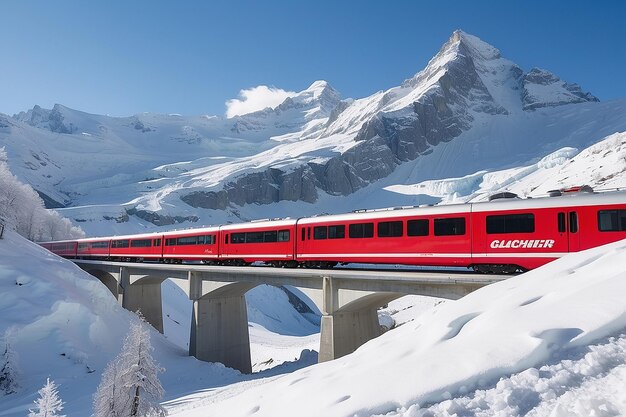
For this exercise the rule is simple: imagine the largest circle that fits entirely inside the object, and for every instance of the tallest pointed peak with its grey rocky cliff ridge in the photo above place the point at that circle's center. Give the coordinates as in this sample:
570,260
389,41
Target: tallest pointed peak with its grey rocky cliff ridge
466,78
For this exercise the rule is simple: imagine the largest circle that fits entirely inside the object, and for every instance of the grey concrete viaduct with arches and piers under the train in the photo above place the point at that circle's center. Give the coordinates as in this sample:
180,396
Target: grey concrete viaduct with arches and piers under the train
348,300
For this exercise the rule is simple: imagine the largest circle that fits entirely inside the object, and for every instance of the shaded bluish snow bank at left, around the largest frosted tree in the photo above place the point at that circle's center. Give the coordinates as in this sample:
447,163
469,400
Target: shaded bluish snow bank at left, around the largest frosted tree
64,324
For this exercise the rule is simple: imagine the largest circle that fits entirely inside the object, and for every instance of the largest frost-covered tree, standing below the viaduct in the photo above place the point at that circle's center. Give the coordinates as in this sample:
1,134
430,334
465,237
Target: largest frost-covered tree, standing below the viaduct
130,385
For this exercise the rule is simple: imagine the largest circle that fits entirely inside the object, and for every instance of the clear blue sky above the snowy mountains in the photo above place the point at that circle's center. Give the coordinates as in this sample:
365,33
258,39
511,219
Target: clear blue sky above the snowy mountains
190,57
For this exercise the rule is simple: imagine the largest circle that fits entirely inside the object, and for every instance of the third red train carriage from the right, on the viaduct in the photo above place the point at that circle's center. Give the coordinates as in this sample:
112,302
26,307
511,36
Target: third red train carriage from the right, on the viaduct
268,241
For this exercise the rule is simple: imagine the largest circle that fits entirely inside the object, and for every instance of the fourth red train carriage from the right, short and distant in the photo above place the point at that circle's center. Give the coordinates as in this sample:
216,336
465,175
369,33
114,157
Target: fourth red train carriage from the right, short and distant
191,245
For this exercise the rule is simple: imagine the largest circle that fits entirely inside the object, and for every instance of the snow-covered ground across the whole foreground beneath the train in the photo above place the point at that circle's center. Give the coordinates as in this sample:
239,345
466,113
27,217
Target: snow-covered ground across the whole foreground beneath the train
548,342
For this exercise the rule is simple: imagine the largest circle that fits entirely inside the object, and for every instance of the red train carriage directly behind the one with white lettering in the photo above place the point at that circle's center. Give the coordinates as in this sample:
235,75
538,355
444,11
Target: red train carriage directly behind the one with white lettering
416,236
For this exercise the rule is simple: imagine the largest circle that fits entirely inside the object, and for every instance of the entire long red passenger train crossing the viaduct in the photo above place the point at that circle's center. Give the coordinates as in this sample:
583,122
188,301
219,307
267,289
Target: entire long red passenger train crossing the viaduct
504,236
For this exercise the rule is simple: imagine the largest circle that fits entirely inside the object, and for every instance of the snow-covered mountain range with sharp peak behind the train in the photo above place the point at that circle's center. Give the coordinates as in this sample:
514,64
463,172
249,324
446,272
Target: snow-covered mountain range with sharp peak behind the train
470,114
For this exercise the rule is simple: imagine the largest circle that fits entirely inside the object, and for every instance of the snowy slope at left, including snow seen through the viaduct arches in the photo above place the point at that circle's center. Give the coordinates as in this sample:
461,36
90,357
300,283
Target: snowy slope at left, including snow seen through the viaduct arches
65,325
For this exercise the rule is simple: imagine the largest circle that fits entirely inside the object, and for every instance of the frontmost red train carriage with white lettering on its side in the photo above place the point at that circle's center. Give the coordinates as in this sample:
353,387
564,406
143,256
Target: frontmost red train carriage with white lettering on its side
531,232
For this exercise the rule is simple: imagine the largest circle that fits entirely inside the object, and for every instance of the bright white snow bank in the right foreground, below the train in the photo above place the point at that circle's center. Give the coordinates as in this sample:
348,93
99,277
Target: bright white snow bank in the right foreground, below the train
531,320
